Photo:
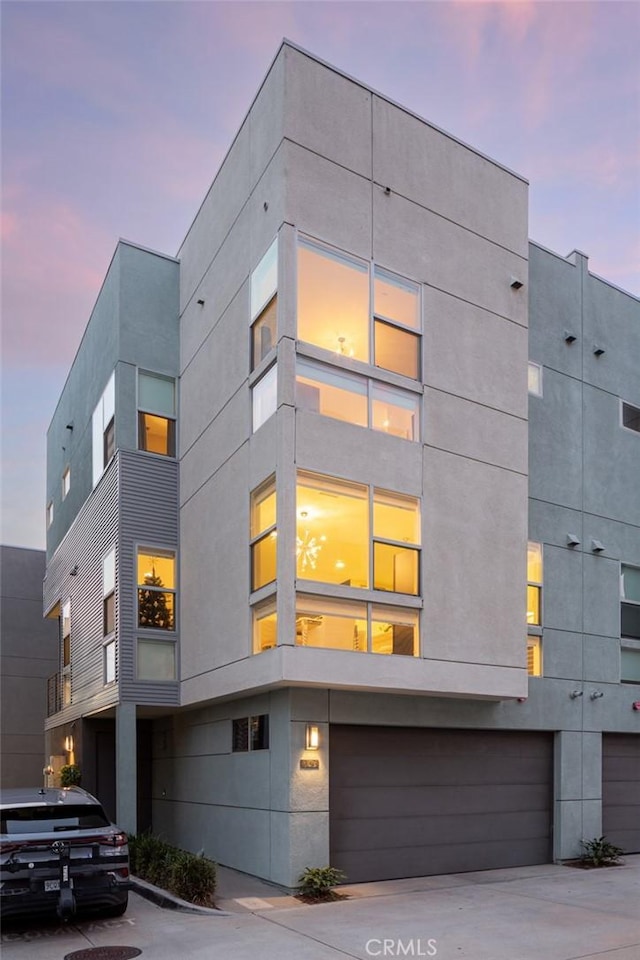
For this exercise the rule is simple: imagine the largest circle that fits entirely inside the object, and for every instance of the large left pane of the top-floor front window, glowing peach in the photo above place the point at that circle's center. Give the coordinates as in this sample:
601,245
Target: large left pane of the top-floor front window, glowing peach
333,301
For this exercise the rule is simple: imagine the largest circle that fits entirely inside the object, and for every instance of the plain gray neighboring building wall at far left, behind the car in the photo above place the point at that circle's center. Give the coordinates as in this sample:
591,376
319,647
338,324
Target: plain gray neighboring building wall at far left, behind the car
29,655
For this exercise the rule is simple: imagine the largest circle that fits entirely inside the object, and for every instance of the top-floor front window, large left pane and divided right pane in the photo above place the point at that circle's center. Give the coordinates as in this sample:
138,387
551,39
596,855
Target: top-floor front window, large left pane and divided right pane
341,310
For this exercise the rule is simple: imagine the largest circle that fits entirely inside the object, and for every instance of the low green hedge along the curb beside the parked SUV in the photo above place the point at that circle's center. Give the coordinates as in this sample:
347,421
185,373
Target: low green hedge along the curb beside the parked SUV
187,875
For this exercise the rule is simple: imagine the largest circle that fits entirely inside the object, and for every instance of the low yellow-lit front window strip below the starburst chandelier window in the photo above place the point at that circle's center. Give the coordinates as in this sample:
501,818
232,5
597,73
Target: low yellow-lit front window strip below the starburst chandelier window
359,627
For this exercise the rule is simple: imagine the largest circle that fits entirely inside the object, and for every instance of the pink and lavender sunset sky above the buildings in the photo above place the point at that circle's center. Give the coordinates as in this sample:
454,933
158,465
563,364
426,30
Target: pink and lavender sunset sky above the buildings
116,116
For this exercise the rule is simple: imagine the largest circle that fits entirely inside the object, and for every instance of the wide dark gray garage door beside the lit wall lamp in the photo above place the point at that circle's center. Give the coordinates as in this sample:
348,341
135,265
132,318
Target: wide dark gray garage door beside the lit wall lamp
406,802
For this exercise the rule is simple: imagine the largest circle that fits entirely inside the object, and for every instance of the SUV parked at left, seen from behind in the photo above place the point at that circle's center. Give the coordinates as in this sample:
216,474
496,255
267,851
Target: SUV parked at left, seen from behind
59,852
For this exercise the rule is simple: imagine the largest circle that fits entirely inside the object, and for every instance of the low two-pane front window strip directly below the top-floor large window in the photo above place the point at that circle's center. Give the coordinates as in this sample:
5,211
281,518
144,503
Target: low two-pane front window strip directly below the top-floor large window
345,396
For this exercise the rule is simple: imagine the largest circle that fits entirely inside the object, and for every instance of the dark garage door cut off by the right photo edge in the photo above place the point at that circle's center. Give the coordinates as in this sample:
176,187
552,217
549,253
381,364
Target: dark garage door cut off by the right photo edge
621,790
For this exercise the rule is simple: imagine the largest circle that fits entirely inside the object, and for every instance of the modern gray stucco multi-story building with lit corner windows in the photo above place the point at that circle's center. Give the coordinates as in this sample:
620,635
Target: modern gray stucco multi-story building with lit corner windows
273,638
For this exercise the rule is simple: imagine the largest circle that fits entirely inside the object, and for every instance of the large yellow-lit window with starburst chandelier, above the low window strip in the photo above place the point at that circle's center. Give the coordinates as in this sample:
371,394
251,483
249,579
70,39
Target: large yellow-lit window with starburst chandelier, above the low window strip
354,535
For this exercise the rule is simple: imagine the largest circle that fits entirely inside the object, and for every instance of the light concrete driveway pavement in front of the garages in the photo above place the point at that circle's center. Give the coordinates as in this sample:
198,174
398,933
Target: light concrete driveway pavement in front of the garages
529,913
